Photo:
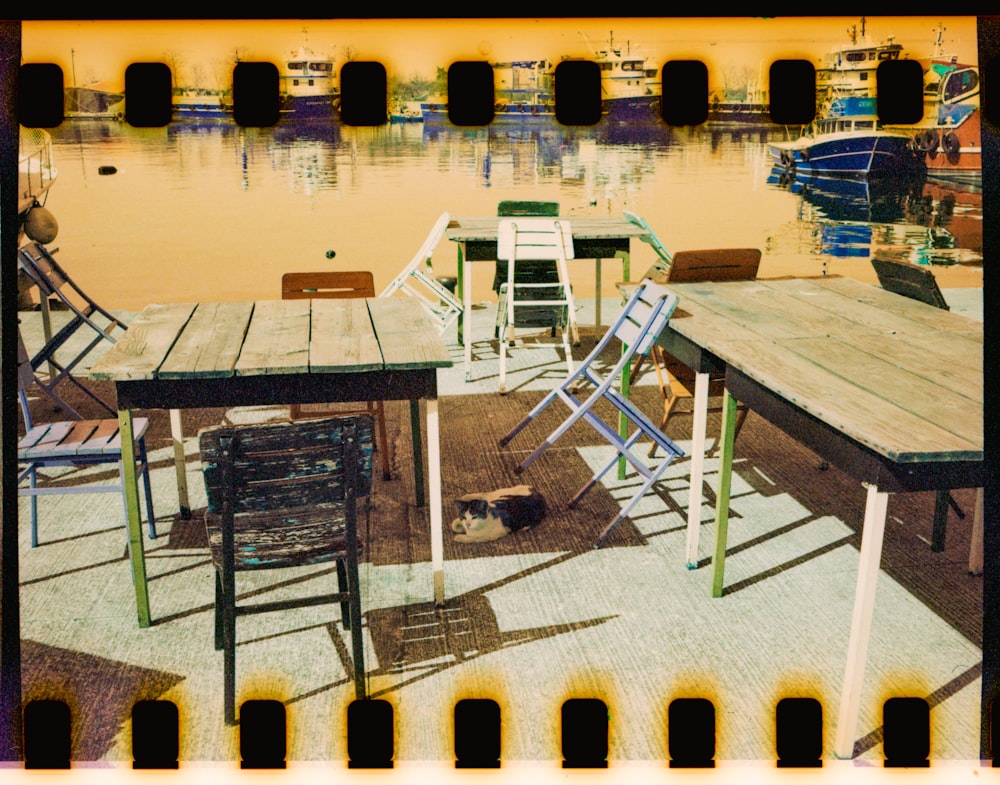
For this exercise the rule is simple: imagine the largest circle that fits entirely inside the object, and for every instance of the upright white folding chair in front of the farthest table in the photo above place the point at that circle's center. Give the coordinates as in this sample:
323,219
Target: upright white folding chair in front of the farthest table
546,239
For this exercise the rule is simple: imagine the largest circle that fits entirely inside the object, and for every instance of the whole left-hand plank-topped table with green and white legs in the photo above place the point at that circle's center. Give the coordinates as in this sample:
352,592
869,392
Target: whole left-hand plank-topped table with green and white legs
193,355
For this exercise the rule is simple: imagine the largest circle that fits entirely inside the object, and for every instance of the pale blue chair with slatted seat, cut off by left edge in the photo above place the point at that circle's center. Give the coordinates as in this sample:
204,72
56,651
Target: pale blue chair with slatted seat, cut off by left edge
76,443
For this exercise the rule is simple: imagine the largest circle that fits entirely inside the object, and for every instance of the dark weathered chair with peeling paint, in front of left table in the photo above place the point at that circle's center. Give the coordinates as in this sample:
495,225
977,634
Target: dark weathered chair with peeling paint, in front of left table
286,495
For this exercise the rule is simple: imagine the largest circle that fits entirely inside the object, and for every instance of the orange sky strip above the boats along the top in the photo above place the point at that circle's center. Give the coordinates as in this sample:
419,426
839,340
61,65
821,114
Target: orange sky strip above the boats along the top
206,49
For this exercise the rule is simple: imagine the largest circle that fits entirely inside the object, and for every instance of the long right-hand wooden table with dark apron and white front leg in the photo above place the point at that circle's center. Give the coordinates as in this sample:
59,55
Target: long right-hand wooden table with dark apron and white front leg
888,389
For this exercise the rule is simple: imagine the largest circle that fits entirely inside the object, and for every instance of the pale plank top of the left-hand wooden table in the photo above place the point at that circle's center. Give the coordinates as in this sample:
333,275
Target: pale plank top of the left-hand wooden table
240,338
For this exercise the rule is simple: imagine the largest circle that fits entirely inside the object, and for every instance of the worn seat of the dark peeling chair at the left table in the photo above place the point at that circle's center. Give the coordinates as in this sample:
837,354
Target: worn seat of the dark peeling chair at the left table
290,537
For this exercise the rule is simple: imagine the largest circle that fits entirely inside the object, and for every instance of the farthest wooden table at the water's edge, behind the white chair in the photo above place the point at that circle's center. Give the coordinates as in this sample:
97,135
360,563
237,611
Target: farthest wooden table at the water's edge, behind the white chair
594,237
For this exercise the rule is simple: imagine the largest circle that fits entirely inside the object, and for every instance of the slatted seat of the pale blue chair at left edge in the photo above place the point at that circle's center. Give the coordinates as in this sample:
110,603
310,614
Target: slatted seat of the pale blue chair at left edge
74,439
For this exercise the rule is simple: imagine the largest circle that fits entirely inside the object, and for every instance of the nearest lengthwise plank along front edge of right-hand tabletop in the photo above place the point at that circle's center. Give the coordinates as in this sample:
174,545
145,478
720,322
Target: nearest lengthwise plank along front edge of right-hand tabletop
871,421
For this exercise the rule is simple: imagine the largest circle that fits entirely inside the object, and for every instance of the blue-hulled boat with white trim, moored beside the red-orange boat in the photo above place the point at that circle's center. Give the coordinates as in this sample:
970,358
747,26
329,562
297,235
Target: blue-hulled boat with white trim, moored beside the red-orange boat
847,141
